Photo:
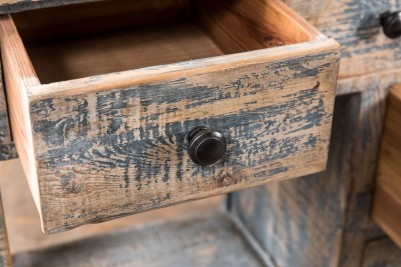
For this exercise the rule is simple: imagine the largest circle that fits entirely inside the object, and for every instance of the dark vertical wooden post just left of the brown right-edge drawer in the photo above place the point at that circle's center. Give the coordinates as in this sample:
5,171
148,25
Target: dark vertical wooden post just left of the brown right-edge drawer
359,227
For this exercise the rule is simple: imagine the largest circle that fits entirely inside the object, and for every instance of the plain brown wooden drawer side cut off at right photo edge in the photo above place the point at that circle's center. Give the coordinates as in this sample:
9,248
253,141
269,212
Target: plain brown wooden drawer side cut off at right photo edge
387,203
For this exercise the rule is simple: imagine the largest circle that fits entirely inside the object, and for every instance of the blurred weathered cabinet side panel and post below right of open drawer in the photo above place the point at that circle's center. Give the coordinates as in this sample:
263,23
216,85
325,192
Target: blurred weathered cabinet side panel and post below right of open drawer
338,200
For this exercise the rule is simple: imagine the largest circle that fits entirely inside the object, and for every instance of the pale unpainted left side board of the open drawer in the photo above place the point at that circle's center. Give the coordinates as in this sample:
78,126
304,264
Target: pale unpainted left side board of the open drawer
19,74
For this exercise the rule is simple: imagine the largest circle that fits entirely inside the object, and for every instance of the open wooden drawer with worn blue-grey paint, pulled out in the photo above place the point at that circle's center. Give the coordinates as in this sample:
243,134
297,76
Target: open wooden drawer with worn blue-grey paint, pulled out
103,96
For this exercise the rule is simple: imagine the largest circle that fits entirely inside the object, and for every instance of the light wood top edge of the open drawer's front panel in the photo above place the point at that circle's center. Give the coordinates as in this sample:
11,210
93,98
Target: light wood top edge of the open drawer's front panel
125,79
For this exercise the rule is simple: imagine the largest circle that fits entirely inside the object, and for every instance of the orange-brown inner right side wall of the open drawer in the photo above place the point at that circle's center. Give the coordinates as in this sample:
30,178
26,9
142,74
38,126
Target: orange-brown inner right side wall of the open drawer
252,24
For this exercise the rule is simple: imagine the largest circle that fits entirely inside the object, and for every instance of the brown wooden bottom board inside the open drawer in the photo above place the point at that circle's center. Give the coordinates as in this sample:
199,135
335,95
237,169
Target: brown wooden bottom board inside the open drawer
124,50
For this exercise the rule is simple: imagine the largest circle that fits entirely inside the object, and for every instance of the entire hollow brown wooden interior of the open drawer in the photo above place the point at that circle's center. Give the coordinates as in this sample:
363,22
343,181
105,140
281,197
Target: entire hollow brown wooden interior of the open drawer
73,41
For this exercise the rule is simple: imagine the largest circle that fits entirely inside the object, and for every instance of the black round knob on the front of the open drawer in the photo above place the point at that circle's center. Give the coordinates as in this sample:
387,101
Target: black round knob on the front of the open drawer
206,146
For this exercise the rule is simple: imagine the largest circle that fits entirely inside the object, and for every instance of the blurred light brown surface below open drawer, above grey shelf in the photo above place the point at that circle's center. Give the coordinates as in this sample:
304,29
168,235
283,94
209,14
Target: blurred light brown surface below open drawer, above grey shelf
23,222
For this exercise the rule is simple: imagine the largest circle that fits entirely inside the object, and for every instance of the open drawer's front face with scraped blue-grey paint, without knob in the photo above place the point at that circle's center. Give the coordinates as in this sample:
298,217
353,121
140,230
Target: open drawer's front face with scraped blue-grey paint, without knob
107,154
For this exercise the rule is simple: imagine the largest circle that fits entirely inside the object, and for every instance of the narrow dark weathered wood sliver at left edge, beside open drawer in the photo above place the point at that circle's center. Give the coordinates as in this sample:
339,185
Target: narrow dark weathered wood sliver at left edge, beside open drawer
7,147
